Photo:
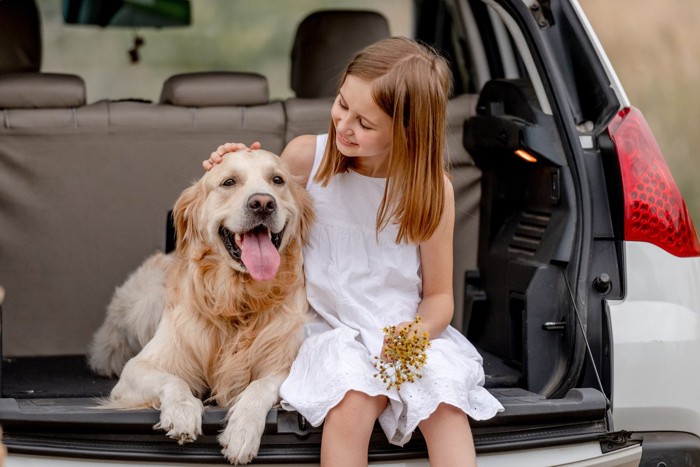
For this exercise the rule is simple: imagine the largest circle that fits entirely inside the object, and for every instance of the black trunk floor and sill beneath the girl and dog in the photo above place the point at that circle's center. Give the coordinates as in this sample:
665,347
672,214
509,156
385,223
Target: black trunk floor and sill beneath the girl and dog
48,405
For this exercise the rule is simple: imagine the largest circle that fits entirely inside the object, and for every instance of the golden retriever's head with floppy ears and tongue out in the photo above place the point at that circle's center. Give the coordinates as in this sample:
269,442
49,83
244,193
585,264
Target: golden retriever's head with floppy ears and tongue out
247,209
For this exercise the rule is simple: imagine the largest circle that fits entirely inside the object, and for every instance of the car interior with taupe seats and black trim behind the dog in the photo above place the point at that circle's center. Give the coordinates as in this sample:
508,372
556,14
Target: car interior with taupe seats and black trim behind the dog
86,187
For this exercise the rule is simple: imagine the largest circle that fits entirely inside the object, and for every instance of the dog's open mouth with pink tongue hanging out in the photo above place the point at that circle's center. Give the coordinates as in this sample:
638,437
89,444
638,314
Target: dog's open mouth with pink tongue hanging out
256,250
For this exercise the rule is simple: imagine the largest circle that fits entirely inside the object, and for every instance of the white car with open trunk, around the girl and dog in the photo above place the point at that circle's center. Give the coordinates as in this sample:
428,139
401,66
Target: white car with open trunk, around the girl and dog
577,266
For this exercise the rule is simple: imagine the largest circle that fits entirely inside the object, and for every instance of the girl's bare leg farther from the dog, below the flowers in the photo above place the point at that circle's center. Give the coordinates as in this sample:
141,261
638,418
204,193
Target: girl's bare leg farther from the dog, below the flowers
449,438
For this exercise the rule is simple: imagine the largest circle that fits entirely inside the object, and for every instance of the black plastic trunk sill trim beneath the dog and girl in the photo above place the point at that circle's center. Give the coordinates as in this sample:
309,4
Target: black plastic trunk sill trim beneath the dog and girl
79,428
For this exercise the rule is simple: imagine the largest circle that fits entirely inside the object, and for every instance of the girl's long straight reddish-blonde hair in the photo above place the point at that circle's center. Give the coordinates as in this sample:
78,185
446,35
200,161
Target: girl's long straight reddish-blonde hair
410,83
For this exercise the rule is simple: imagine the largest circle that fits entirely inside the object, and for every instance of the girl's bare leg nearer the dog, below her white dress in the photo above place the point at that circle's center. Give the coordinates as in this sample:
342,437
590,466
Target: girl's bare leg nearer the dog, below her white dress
347,429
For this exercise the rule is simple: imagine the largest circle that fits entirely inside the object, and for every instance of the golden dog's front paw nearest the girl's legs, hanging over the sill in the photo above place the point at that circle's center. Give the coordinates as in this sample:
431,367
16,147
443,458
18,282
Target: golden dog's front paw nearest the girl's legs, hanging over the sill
241,438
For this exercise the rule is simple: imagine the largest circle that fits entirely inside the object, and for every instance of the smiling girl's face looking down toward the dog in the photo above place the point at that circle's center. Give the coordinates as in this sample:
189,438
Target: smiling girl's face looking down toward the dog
362,129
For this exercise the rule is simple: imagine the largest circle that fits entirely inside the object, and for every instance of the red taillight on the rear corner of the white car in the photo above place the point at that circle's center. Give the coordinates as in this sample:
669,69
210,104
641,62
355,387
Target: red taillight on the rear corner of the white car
654,208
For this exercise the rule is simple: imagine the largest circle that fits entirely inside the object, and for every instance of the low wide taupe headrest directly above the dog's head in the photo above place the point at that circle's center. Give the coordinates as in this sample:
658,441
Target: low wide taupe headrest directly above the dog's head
215,88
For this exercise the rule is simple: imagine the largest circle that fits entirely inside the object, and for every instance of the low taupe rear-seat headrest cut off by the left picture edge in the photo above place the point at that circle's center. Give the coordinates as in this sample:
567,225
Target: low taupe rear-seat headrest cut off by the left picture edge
41,90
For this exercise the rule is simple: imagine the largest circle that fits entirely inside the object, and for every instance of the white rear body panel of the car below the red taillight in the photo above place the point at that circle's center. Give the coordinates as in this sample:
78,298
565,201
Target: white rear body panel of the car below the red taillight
656,341
